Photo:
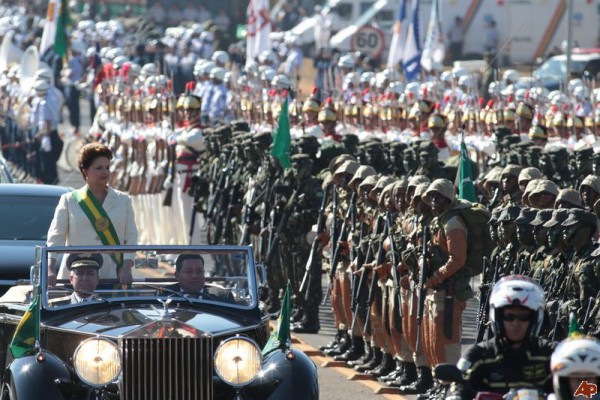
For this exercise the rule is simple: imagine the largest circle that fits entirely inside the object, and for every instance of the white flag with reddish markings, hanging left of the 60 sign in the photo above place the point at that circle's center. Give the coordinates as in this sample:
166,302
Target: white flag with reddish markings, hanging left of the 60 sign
259,29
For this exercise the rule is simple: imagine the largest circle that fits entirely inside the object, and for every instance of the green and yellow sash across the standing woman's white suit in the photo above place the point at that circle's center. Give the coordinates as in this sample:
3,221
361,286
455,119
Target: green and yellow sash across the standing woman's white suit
100,221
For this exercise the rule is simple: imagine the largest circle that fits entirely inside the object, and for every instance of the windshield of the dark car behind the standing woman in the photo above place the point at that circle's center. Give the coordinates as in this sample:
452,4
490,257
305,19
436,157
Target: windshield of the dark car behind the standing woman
26,217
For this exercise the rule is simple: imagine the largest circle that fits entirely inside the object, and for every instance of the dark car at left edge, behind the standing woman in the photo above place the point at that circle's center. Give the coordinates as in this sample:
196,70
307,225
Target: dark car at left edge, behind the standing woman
26,211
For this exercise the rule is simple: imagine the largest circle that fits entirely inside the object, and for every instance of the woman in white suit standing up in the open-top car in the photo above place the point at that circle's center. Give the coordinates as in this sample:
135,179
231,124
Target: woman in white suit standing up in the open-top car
94,215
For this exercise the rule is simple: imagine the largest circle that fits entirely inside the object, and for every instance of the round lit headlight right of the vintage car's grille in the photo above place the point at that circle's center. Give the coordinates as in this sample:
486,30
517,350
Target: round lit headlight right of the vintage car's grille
238,361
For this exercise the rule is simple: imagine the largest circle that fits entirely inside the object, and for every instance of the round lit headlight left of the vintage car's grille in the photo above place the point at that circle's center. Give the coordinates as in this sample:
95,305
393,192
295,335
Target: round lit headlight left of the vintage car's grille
97,362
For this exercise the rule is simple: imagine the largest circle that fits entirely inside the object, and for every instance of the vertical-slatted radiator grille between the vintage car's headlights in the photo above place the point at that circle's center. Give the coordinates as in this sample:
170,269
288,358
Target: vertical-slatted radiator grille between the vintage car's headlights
167,369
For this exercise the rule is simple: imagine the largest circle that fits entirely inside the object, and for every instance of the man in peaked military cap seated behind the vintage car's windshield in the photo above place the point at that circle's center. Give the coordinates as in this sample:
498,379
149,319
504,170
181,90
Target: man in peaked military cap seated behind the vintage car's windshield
84,277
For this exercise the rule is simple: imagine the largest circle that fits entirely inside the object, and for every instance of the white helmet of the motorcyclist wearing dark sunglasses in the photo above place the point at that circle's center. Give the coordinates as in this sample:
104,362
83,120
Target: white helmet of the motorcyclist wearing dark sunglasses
517,290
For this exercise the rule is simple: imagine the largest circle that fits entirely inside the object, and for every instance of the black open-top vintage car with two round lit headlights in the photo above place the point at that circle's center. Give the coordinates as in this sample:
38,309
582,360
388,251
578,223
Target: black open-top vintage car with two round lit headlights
149,340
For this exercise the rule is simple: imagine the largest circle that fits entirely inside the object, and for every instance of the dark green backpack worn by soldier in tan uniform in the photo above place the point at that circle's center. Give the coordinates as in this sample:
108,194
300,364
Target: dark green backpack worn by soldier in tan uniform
479,242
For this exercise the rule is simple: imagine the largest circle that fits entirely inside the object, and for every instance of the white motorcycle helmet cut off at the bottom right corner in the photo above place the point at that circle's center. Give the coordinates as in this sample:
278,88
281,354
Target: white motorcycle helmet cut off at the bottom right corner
574,358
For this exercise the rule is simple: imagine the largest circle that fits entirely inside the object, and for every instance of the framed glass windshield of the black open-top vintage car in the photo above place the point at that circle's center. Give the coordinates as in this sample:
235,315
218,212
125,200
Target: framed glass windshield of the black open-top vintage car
192,274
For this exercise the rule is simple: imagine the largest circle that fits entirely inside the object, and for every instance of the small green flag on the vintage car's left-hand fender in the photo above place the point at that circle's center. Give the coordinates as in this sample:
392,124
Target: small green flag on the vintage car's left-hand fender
28,330
